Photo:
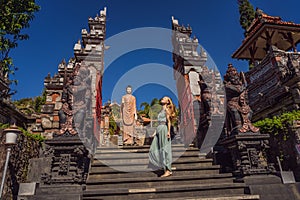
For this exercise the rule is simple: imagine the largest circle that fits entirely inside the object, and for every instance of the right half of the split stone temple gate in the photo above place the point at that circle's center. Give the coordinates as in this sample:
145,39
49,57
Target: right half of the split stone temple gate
200,92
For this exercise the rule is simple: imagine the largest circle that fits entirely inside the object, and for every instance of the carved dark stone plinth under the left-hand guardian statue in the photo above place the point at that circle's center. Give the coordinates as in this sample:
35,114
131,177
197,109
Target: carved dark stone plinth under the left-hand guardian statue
69,161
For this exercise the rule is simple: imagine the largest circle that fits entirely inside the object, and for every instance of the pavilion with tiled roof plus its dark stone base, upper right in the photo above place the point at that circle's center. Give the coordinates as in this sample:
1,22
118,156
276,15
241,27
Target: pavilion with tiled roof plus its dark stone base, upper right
271,47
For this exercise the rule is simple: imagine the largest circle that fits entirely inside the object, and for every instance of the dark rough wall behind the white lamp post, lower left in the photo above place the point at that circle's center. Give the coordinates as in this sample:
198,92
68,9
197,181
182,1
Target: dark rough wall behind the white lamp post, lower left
25,149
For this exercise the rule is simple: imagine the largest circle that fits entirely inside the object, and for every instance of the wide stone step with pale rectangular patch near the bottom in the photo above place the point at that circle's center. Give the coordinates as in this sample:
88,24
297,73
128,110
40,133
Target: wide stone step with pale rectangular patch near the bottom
167,191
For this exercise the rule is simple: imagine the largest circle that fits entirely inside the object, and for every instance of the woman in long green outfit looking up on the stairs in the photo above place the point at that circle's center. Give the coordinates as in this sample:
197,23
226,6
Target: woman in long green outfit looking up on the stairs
160,154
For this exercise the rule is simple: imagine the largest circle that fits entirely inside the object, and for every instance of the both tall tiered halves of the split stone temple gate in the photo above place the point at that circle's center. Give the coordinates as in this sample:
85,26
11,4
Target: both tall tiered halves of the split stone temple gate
70,117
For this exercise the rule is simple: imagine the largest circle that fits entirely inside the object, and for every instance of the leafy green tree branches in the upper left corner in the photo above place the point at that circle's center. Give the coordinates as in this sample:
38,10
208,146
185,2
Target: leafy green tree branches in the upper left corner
15,15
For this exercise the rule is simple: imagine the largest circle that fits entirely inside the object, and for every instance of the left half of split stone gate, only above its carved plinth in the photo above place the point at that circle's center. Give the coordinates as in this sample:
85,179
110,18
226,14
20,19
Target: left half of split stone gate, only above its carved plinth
74,94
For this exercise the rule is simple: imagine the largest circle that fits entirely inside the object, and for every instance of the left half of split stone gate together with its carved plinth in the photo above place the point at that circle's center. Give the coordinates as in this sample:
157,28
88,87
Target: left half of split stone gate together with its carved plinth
70,116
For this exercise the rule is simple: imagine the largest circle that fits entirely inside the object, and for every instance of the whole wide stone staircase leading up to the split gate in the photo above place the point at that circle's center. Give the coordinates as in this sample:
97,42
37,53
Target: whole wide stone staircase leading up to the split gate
123,173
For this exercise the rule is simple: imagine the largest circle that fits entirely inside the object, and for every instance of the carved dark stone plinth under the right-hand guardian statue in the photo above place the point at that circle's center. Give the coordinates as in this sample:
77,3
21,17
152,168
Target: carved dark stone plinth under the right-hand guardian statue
248,153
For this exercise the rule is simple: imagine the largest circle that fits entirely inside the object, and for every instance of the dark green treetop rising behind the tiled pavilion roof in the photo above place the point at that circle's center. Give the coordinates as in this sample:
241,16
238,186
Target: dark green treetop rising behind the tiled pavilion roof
247,14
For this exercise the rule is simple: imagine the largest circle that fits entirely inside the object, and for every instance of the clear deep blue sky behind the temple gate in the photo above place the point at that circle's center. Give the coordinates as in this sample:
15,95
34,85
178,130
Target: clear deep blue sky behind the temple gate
57,27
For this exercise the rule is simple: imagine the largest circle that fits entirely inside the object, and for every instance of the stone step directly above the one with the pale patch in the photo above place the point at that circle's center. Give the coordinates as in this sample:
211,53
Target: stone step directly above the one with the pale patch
143,182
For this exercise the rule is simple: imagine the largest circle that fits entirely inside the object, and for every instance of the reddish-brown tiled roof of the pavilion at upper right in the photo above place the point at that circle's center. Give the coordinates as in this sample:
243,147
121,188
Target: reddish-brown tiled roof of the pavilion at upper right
264,32
